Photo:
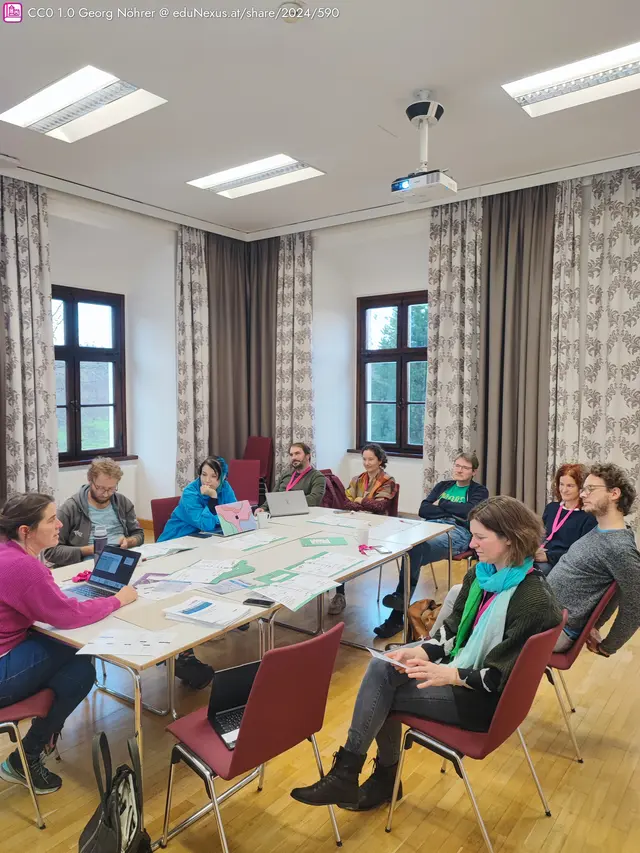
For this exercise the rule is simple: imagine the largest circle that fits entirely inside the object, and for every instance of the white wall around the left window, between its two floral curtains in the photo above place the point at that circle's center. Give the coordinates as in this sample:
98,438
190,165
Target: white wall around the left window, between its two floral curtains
103,248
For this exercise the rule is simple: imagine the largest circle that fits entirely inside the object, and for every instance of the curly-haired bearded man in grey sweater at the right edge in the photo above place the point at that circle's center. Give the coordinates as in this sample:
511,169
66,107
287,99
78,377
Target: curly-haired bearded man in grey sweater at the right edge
607,553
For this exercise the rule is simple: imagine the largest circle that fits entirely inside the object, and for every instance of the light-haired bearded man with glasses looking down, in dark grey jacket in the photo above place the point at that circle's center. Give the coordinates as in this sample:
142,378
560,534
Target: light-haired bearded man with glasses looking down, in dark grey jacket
97,504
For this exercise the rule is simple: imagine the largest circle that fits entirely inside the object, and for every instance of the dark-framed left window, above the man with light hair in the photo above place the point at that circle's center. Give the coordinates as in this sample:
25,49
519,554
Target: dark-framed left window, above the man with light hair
88,337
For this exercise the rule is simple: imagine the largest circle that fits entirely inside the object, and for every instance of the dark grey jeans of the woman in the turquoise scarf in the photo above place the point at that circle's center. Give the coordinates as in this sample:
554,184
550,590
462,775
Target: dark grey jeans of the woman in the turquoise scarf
384,690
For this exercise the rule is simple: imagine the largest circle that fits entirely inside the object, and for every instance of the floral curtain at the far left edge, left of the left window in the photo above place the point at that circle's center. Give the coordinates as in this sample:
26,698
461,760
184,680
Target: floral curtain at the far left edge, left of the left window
28,422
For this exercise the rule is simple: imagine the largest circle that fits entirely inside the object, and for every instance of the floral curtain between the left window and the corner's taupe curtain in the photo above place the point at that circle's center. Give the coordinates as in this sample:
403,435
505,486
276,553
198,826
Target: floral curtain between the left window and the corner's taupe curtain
192,337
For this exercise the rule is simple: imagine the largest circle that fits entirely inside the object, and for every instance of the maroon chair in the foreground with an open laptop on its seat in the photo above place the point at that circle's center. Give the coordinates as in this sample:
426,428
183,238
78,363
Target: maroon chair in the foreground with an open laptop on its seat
286,706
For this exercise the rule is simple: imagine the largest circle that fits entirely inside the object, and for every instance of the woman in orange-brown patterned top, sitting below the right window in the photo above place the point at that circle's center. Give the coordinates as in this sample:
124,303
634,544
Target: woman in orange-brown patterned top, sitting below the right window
371,491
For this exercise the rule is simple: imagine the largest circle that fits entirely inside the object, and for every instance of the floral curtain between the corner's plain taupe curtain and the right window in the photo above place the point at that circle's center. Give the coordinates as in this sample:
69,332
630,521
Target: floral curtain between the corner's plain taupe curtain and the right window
294,381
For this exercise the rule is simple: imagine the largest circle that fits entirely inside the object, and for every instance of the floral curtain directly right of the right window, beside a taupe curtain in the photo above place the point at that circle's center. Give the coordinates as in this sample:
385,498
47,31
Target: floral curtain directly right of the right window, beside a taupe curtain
454,333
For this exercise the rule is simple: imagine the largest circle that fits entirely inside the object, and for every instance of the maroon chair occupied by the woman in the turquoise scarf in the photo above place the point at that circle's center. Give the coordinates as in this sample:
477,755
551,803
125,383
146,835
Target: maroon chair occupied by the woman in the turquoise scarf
453,744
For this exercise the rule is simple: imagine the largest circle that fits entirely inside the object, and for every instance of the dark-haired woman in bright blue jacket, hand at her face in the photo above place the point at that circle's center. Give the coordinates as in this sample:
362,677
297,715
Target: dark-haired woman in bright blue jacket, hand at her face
197,508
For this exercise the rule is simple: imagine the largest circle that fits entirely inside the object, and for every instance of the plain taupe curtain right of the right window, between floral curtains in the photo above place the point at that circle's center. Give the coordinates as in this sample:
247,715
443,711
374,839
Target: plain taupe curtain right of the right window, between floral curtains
515,311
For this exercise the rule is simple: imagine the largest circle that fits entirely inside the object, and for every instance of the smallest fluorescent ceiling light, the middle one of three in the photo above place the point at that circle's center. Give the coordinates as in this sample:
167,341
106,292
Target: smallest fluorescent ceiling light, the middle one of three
255,177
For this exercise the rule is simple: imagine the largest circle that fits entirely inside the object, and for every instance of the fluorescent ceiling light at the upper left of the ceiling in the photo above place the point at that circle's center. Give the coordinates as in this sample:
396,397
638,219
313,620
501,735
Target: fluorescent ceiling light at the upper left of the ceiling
85,102
